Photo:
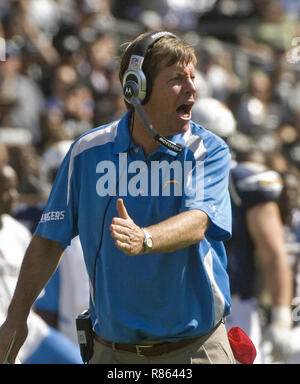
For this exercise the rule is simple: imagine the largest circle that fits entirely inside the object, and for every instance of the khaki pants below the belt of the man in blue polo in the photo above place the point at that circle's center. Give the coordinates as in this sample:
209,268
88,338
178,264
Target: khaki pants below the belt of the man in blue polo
209,349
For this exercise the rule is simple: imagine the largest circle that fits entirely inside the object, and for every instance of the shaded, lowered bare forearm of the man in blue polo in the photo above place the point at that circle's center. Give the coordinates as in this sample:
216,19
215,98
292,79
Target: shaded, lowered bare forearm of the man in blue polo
39,263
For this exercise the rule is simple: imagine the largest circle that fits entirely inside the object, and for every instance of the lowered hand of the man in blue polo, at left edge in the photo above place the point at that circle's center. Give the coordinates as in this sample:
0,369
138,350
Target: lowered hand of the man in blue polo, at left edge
6,334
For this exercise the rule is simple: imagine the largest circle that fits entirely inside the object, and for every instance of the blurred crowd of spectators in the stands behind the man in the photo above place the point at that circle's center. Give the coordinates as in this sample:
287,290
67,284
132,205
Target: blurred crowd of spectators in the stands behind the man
59,77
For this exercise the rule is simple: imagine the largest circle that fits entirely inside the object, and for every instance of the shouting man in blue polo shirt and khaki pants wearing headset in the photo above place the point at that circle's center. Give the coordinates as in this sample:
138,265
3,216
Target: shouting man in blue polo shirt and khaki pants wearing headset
151,222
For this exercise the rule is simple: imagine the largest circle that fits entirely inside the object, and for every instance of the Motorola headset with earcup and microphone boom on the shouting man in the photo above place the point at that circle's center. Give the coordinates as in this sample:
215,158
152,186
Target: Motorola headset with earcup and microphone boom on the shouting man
135,85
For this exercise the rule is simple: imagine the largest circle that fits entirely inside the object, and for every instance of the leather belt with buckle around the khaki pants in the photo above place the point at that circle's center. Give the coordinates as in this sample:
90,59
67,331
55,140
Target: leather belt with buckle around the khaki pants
153,349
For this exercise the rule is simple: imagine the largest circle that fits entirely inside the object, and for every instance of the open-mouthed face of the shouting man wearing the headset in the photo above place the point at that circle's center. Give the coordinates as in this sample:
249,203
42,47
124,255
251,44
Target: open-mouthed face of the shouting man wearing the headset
172,98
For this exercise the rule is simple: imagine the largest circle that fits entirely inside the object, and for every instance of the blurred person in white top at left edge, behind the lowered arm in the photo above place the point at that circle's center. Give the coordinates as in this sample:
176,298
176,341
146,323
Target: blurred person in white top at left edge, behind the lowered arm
43,344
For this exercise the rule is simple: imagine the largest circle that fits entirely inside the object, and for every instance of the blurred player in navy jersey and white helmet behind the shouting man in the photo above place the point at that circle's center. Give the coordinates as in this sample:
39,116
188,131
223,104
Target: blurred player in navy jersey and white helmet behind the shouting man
256,251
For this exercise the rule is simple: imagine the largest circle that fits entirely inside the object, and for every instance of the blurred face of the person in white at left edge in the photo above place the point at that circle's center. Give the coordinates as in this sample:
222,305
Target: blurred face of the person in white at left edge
8,189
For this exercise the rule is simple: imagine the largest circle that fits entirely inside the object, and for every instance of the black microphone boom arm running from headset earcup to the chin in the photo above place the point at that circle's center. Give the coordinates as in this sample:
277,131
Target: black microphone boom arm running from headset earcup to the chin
131,95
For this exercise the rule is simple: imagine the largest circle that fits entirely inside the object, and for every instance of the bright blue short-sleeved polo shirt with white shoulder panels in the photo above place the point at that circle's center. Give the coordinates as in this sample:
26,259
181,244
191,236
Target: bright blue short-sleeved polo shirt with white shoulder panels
168,296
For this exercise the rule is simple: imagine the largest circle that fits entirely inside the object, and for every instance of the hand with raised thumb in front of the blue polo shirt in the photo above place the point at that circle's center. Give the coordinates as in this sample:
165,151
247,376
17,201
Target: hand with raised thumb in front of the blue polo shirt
129,237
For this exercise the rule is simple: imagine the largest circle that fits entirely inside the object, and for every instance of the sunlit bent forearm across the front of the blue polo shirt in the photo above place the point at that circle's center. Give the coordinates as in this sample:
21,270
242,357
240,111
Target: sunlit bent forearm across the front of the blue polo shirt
179,231
